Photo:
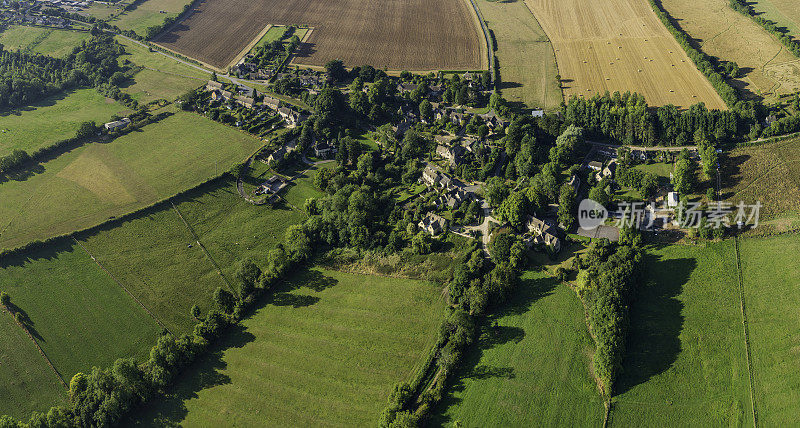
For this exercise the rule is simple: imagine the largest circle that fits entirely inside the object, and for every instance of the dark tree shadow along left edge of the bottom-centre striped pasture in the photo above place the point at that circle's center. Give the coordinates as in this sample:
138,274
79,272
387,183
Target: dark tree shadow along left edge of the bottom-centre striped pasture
170,410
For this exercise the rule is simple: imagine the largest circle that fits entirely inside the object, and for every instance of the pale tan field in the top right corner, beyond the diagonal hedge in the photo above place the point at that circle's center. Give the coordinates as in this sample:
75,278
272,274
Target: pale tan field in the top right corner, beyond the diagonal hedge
768,69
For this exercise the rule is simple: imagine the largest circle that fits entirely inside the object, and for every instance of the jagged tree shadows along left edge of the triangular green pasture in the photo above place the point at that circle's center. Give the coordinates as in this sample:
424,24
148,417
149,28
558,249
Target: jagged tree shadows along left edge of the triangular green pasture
490,335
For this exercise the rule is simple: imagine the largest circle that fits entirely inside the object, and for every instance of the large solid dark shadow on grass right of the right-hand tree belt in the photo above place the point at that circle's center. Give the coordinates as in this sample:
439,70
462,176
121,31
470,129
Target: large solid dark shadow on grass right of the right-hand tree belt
656,320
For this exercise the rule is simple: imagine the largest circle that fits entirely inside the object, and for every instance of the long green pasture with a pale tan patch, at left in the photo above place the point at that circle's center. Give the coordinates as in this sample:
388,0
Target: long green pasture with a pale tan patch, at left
101,180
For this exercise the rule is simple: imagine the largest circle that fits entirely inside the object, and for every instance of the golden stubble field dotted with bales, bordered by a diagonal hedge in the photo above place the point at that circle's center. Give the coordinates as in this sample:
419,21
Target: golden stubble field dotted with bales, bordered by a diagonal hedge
620,45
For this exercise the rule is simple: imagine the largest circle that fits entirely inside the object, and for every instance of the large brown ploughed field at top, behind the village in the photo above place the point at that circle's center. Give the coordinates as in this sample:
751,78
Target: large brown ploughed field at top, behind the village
415,35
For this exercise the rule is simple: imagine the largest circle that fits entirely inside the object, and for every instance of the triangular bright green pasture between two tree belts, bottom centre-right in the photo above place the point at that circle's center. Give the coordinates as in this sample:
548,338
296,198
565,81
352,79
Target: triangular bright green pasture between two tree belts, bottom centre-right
532,370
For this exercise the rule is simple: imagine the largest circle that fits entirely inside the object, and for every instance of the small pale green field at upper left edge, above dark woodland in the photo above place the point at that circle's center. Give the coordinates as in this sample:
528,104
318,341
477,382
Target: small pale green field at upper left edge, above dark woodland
46,41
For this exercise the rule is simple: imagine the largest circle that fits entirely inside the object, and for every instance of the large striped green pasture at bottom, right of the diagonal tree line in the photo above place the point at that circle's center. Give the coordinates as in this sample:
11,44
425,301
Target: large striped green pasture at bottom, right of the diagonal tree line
327,351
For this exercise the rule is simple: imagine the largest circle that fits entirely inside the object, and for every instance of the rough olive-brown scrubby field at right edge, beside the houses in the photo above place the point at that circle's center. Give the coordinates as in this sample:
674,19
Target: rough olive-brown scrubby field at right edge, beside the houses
768,173
